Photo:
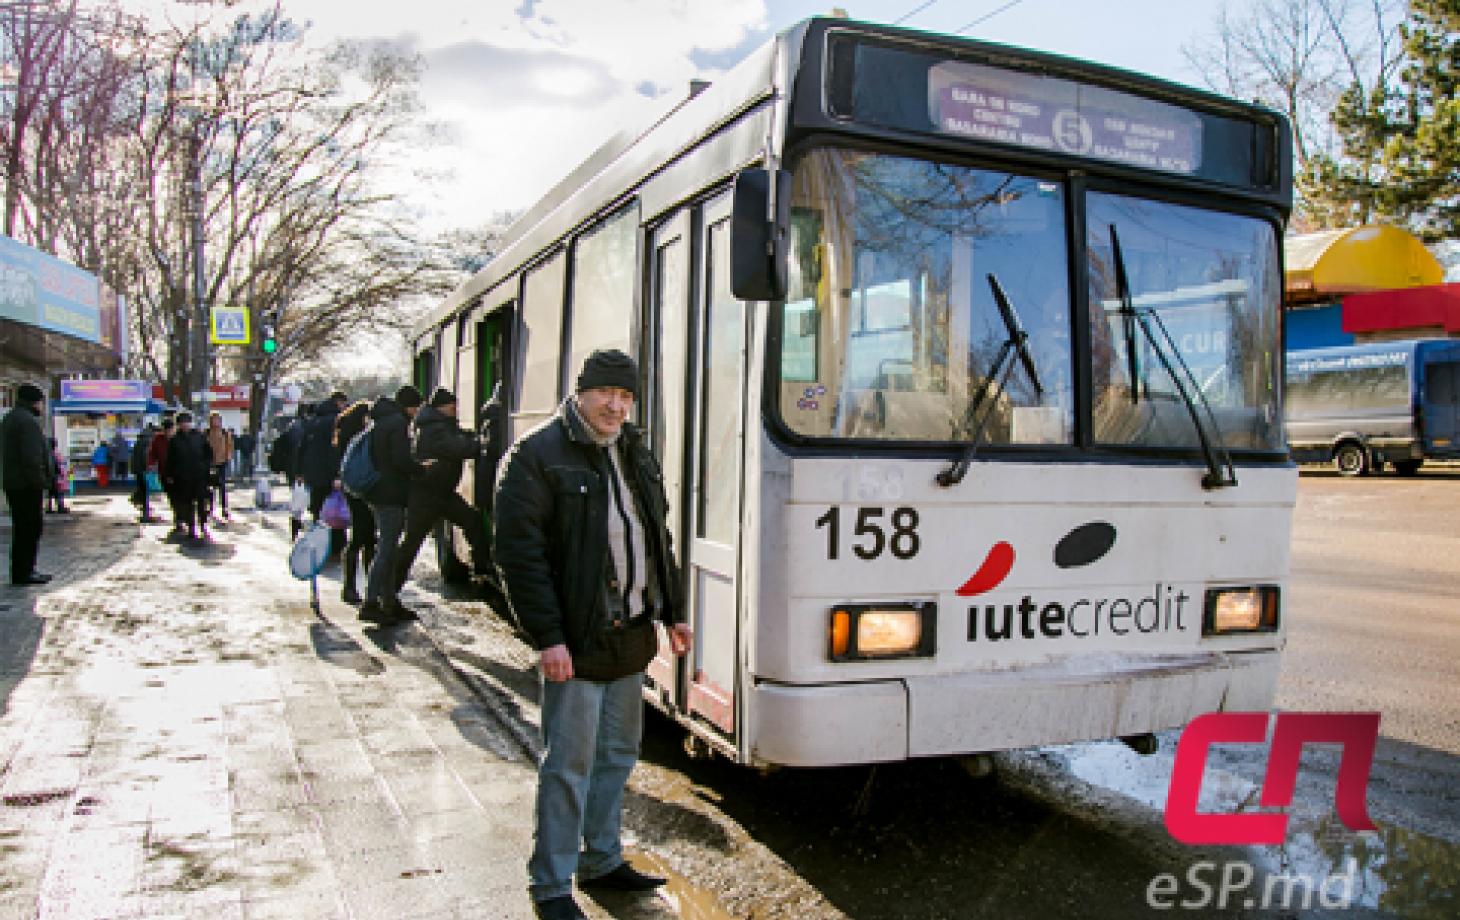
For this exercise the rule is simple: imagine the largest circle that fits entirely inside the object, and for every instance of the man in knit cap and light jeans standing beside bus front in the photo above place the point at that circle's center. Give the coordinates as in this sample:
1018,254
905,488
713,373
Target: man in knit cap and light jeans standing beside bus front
583,547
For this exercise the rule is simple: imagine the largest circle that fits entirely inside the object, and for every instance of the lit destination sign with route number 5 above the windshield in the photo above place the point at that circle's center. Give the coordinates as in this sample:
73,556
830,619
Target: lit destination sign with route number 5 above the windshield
1053,115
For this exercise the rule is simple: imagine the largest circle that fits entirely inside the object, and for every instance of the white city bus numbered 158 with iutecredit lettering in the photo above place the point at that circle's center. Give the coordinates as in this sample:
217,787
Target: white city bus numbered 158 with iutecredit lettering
963,366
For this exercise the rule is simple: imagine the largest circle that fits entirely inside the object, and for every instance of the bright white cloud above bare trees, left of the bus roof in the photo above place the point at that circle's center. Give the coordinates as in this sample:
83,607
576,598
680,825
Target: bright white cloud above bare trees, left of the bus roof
529,88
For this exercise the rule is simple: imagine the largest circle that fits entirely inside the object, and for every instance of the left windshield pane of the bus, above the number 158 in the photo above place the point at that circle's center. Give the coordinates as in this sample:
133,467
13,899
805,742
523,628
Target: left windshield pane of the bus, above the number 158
890,329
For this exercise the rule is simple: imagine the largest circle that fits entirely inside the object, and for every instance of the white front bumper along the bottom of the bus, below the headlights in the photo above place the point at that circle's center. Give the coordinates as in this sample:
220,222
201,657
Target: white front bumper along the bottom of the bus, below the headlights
1024,708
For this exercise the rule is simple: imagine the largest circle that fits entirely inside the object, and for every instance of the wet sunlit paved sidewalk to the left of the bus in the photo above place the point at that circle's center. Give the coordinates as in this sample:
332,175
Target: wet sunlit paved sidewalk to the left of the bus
183,737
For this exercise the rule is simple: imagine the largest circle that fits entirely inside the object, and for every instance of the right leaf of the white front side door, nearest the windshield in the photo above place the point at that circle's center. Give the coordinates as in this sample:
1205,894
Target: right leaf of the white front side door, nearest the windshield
713,538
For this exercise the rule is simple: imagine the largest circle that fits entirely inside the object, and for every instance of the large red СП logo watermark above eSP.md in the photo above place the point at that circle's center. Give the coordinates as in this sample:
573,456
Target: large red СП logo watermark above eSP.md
1357,732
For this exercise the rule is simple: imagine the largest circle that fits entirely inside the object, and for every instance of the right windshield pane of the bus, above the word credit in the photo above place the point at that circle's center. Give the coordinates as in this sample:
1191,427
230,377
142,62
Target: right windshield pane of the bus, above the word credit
1215,283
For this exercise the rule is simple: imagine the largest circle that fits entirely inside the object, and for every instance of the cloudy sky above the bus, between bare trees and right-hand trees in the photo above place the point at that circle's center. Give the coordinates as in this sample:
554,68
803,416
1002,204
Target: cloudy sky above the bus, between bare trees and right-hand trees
529,88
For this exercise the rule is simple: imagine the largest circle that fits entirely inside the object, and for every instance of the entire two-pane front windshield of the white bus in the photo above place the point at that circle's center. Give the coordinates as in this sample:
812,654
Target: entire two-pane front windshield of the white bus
891,332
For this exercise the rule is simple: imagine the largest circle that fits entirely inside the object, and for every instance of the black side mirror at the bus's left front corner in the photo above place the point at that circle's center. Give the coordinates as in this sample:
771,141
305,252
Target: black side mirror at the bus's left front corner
757,240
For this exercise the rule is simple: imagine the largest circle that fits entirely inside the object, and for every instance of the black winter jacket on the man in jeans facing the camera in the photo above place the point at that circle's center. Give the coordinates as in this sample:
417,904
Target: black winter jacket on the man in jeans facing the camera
551,531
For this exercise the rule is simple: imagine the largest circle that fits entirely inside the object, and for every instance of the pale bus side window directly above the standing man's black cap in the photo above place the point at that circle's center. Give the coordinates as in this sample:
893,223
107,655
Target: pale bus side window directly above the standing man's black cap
602,300
